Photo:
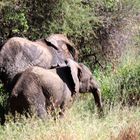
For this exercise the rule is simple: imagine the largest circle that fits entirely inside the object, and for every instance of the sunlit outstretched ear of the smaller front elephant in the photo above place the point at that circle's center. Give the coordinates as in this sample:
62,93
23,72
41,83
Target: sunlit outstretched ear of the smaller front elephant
75,72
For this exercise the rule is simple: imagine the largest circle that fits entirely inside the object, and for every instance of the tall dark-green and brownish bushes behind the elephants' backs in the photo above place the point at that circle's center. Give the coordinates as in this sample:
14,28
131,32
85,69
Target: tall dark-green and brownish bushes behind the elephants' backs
91,25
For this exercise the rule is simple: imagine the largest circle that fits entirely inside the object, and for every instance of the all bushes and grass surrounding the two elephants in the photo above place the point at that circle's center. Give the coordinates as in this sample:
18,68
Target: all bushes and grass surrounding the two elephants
107,35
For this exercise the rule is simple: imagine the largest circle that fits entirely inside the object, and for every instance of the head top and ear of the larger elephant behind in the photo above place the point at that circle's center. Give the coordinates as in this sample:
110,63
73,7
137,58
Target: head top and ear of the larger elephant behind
61,42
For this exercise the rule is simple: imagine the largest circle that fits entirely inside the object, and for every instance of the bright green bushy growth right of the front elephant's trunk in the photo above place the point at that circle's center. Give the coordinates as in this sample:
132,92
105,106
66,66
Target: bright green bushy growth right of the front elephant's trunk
123,84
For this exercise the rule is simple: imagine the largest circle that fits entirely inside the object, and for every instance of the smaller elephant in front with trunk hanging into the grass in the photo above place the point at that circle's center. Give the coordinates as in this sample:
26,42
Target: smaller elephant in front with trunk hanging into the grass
38,90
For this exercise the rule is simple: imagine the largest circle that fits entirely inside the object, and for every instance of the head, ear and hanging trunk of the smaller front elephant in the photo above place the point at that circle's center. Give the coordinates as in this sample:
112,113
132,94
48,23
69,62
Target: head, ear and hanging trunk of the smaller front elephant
85,82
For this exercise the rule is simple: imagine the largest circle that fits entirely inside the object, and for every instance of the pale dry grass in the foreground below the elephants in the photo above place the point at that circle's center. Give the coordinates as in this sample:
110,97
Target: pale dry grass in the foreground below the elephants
118,124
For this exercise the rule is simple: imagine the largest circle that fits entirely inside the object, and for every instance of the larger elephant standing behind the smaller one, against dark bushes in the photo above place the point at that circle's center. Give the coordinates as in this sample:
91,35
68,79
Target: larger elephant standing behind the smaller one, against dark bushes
18,54
